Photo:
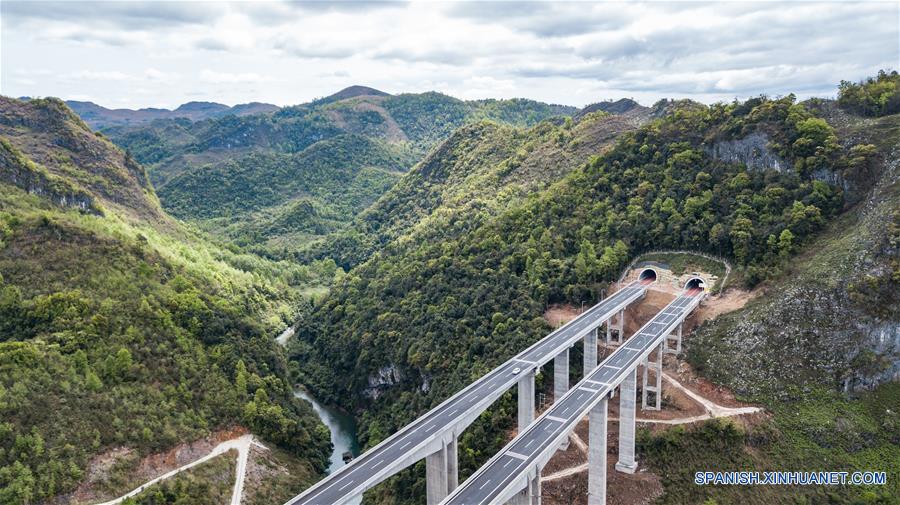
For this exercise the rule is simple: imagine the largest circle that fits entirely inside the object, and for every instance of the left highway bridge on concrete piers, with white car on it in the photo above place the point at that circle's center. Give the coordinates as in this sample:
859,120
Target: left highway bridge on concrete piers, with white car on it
433,436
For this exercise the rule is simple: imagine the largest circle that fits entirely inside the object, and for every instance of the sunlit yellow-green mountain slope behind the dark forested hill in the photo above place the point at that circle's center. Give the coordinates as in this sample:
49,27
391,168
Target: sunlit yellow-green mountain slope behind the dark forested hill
480,169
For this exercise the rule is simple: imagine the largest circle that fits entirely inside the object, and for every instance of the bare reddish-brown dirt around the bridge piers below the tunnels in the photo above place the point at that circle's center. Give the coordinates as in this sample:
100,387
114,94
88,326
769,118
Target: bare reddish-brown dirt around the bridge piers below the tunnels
686,399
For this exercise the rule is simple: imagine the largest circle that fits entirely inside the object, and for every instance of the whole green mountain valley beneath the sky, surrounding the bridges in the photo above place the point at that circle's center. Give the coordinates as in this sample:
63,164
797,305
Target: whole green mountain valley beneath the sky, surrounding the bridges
413,243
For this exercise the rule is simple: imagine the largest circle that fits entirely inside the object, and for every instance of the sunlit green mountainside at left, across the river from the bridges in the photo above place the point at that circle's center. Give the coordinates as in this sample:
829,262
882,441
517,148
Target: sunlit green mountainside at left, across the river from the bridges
121,329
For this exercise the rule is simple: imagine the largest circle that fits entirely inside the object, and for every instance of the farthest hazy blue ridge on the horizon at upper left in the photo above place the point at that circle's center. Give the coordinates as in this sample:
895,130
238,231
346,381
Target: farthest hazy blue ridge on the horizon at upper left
99,117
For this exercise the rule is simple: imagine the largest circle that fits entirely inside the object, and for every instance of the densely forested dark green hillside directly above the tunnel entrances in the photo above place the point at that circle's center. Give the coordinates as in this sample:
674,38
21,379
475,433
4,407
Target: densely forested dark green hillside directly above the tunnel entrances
445,299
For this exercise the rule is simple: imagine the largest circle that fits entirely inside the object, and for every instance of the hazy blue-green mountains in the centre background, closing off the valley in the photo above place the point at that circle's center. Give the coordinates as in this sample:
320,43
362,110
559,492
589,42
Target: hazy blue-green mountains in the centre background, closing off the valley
301,172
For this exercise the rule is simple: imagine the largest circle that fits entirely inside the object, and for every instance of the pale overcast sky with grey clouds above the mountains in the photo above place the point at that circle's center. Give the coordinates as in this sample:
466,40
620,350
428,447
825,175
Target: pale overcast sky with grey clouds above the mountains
163,53
